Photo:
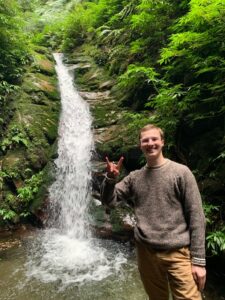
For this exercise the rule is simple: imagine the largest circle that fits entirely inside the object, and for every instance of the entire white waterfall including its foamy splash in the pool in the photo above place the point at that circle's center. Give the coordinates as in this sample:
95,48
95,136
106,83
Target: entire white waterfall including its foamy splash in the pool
66,251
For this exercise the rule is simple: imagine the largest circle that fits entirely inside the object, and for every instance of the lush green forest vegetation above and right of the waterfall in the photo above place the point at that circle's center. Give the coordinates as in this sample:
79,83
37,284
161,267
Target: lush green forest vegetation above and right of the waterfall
167,61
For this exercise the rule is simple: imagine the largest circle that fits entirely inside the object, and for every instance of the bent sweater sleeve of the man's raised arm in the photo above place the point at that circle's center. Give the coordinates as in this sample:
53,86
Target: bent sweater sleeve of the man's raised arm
113,193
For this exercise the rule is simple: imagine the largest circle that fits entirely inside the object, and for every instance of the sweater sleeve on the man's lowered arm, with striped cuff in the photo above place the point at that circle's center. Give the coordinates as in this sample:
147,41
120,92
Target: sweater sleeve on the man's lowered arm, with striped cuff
195,217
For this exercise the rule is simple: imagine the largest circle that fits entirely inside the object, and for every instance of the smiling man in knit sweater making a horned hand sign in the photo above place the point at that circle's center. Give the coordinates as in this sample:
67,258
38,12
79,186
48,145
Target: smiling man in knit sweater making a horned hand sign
170,224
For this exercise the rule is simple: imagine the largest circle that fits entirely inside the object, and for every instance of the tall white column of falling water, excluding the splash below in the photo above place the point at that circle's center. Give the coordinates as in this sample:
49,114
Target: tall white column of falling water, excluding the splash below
70,193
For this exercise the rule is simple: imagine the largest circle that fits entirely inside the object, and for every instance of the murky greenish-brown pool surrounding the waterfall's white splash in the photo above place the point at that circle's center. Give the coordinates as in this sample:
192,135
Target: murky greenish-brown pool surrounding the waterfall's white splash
19,281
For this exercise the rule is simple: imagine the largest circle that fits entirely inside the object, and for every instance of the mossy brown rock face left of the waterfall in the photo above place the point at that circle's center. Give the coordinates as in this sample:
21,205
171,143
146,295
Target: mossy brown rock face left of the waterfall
29,144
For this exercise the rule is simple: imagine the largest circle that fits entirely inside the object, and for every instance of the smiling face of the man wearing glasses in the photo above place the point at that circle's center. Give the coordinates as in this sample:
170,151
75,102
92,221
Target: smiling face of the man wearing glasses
151,143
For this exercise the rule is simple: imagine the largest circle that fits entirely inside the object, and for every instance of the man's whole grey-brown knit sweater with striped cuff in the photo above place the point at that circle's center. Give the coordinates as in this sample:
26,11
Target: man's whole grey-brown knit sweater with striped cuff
167,207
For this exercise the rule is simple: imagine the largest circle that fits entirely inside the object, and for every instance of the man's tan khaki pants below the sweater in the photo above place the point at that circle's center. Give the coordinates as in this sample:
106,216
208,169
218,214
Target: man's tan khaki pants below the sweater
164,270
